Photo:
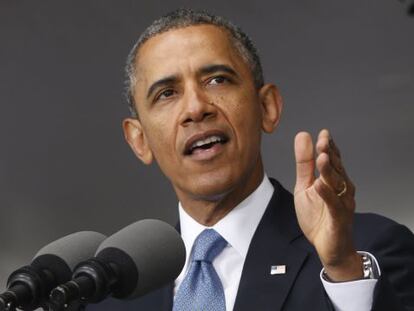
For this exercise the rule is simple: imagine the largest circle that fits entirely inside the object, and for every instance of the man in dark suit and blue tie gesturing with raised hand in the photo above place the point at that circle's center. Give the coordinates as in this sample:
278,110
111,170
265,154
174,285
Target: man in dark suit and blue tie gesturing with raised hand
199,107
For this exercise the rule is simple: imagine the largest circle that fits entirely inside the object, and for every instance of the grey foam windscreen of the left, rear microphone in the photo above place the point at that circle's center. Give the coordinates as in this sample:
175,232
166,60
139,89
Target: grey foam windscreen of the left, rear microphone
61,256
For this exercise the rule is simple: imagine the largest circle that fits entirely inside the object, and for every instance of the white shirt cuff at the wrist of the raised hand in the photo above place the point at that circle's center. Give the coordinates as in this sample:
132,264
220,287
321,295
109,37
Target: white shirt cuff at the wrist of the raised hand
353,295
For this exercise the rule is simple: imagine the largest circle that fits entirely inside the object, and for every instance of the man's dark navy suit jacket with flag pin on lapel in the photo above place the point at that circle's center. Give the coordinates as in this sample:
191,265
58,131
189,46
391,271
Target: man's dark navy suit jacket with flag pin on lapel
278,240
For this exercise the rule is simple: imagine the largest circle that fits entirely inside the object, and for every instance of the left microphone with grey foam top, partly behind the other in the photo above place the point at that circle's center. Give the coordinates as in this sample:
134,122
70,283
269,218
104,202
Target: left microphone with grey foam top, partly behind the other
29,287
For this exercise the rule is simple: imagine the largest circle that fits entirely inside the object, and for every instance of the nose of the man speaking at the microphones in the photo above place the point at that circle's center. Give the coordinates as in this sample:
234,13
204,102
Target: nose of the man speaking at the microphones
197,107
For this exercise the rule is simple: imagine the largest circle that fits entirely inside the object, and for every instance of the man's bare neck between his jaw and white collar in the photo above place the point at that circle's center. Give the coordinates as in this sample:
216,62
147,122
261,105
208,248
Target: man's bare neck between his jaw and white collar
209,211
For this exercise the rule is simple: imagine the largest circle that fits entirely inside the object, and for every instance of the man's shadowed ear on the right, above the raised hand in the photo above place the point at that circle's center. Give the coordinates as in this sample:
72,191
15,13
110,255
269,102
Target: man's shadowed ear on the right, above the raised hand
271,104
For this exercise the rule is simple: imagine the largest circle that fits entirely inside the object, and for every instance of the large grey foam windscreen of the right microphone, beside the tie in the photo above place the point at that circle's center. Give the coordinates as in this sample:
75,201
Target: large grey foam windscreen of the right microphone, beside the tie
151,250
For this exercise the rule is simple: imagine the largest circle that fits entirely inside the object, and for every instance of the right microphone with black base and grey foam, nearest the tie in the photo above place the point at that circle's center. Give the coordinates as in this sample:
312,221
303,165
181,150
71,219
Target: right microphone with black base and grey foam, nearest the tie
140,258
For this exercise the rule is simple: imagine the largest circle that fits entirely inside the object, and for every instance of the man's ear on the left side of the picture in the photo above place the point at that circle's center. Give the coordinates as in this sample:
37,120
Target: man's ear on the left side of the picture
137,140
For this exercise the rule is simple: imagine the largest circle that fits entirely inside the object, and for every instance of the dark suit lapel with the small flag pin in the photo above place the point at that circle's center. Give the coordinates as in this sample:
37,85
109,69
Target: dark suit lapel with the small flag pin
271,245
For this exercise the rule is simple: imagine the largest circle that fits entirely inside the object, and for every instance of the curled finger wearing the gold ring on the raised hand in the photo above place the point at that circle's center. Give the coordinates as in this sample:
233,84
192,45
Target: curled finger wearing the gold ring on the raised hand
329,174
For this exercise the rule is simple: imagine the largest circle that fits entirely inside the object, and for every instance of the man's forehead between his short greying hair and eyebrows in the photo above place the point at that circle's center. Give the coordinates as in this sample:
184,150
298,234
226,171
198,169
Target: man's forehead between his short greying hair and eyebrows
185,49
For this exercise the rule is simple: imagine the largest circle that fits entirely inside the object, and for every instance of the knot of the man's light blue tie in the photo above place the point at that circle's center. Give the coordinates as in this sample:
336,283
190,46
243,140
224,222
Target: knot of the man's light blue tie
208,245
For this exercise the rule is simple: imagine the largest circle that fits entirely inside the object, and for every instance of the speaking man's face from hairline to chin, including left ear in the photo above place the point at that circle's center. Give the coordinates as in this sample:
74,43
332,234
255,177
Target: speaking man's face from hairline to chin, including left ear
200,115
